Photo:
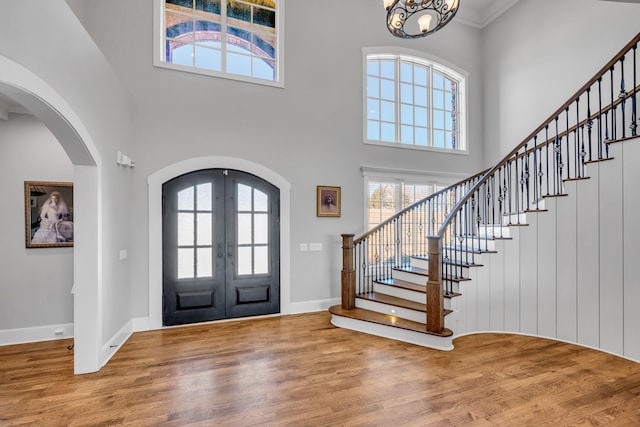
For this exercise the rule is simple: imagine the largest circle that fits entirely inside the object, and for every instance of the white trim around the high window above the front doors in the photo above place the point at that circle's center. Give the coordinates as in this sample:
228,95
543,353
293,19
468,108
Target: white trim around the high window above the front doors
158,50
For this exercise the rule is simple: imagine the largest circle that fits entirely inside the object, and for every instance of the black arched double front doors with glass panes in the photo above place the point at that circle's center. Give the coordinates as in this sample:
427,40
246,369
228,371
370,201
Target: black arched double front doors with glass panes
221,247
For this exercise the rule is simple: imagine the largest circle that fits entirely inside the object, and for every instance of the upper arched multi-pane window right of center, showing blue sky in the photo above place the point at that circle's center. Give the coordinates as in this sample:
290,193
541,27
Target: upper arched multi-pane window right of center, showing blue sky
413,101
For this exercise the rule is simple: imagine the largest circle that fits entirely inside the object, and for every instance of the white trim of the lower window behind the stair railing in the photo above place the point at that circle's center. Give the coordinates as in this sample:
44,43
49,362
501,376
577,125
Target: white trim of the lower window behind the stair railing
409,176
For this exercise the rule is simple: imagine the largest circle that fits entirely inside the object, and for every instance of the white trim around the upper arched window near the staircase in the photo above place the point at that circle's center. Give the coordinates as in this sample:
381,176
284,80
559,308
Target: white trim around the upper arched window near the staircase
437,64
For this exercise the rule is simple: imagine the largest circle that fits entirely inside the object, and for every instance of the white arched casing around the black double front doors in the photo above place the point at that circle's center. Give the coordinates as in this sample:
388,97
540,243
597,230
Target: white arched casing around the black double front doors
155,182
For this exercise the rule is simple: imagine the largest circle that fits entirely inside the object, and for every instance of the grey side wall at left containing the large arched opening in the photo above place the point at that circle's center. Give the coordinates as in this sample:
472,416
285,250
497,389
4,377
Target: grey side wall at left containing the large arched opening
46,38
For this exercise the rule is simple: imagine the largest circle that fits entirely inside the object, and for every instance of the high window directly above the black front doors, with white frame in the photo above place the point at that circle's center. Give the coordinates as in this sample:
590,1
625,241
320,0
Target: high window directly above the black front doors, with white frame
237,39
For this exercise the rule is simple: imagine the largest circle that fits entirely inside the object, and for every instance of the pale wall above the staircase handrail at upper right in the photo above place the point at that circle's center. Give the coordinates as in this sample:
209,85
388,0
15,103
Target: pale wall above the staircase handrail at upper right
532,69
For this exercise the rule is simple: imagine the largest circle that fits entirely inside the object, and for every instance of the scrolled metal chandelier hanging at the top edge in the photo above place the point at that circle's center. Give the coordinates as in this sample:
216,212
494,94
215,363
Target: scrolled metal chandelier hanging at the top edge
410,19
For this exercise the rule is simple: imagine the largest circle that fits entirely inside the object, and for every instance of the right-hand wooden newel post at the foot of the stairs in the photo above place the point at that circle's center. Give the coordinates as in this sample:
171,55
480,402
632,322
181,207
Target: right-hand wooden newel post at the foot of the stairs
435,297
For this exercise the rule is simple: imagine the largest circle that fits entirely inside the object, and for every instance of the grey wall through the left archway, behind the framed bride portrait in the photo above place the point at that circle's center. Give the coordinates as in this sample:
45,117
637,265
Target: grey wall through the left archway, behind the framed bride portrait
35,284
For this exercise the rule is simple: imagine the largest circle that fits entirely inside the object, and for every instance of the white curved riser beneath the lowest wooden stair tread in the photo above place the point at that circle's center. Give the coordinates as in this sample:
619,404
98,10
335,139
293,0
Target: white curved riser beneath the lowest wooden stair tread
404,335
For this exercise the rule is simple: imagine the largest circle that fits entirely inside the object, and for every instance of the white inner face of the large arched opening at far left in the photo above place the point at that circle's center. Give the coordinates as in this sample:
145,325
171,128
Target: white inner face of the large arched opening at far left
51,109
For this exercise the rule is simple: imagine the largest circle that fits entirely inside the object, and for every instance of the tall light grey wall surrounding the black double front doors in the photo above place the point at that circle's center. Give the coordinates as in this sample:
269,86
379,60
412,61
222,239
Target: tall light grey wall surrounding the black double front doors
310,132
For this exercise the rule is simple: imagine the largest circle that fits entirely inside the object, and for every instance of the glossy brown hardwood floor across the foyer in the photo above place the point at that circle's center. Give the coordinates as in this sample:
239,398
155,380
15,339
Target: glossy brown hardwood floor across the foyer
301,371
